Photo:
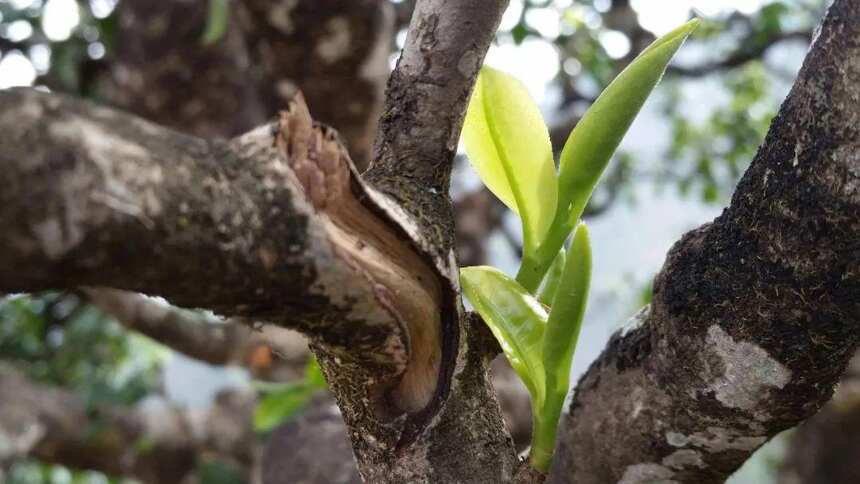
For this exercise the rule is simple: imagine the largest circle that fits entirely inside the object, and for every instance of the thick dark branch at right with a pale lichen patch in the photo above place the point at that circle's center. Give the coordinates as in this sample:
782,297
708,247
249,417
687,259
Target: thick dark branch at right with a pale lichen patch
754,315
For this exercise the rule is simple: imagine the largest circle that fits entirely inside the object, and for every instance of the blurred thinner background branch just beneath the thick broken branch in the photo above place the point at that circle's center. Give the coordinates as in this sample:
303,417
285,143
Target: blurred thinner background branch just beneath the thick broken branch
267,351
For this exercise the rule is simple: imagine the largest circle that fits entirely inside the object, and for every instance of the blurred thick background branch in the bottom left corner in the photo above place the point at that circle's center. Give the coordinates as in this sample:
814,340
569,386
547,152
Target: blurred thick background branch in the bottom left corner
154,442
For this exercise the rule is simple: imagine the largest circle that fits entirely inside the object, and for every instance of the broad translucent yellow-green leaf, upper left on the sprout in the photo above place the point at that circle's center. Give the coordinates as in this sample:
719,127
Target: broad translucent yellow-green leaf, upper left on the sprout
508,144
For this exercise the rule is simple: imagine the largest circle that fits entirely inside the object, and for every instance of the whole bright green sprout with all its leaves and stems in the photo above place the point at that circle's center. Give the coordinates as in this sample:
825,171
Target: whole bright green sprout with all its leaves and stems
537,317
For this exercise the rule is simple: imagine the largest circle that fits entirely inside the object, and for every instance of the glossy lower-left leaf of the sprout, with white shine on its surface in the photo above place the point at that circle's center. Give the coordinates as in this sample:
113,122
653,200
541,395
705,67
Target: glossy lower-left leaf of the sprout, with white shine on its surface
516,319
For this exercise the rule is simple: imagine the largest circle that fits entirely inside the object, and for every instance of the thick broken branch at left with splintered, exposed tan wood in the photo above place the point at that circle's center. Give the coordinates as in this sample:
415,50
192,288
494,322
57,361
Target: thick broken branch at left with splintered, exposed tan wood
263,226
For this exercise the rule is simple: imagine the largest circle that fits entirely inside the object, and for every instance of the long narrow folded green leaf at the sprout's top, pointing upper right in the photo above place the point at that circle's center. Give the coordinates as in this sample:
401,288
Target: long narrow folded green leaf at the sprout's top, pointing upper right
597,135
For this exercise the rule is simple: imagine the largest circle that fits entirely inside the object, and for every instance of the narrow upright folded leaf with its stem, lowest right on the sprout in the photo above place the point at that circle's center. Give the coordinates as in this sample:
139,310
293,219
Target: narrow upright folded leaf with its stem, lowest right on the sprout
559,343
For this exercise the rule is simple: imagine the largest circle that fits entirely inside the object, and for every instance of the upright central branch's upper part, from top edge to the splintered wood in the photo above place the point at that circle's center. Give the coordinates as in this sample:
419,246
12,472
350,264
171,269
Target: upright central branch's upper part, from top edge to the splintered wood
425,103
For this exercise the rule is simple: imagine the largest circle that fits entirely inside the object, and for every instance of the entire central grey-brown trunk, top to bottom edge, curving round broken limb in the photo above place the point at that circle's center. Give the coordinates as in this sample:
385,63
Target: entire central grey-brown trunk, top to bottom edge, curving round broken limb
460,433
